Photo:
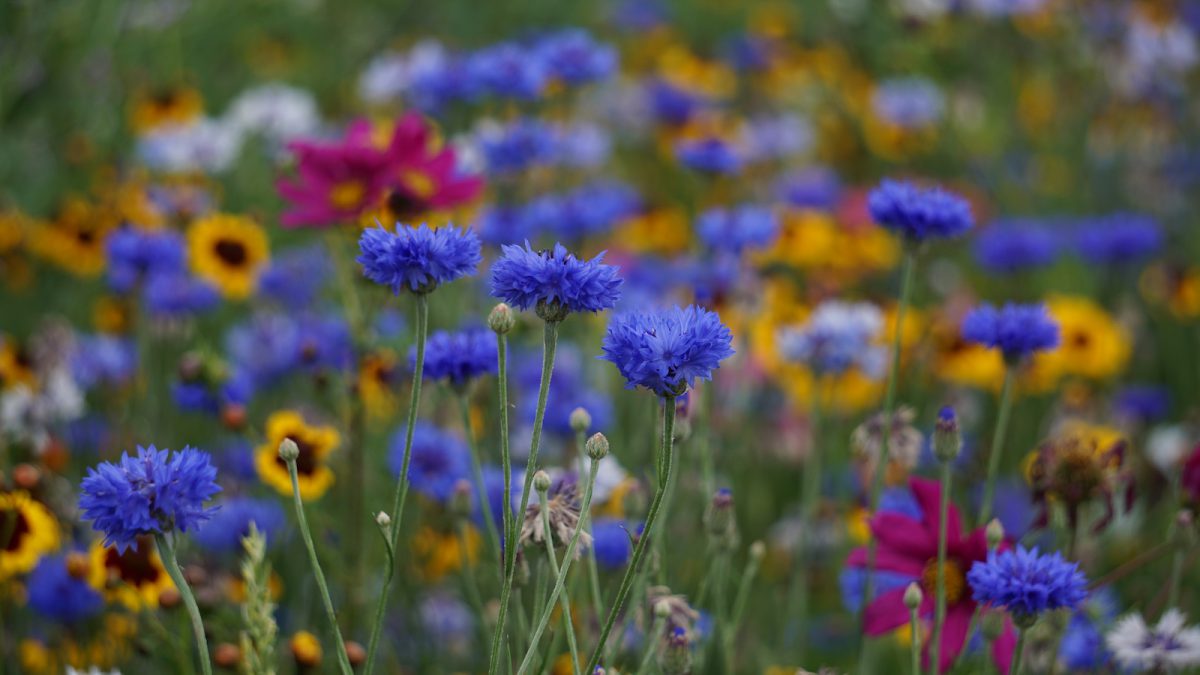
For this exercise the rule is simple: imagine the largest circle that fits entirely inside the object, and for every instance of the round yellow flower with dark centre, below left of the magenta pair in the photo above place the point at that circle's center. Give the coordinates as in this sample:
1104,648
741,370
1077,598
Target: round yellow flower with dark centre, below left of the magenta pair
230,252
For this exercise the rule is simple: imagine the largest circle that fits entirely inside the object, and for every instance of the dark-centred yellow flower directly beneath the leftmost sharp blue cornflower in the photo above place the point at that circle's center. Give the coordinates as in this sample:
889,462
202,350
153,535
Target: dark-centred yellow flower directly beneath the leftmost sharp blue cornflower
135,580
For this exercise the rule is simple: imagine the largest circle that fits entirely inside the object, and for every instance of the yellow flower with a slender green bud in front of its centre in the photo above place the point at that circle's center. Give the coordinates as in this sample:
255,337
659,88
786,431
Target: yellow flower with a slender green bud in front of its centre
315,443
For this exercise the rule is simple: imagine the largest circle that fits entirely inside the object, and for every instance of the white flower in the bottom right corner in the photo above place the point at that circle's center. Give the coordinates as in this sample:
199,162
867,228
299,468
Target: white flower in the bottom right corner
1169,646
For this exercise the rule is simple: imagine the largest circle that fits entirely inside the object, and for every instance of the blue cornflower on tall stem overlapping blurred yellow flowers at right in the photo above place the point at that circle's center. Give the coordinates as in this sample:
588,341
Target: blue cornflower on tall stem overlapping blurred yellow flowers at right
1017,331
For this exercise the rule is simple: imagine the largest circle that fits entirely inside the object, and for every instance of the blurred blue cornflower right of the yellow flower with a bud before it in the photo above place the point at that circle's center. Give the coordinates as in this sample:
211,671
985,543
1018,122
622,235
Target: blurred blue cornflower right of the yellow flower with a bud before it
440,461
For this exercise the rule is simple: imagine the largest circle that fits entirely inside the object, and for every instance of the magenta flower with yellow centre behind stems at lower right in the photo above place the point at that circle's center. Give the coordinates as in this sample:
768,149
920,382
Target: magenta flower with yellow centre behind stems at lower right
909,547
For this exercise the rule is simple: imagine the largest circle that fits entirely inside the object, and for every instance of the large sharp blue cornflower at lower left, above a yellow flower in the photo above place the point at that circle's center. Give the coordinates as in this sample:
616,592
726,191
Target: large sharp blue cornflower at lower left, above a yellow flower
155,492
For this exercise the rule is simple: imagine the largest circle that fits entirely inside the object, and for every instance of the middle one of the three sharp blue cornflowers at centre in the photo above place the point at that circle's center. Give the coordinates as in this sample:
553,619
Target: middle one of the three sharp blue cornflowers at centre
554,282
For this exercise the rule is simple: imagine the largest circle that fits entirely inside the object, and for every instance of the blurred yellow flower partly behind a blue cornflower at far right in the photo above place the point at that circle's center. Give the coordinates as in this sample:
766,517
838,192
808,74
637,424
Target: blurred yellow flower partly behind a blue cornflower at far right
1093,344
